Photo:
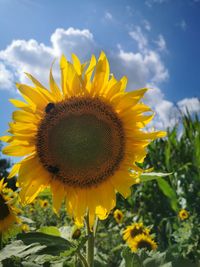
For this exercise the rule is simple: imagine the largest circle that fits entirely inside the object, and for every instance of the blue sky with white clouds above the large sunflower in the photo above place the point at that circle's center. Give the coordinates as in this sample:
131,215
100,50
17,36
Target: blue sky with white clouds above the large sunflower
154,42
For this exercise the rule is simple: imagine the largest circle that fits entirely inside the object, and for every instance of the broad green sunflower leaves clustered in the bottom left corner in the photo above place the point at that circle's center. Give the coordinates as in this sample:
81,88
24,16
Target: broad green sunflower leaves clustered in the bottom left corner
39,249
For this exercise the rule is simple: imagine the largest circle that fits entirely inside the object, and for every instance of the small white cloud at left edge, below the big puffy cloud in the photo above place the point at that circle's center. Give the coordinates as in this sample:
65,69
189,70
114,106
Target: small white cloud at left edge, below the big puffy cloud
6,77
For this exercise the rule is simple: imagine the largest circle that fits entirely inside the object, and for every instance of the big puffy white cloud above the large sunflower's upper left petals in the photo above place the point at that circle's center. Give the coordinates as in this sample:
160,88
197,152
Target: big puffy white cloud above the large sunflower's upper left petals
36,58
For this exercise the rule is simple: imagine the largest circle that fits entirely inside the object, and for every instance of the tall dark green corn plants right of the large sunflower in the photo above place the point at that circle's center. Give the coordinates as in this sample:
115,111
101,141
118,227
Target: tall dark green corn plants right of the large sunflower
157,202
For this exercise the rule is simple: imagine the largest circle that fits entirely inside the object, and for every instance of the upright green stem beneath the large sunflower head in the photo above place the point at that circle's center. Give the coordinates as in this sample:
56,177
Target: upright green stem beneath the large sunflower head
90,243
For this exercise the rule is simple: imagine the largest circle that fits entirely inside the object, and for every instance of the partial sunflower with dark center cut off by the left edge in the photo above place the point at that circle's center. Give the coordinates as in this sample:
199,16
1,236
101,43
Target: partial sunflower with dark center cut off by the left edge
8,210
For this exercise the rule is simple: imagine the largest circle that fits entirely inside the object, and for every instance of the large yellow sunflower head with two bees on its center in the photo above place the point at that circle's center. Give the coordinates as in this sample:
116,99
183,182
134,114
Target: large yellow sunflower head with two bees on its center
83,141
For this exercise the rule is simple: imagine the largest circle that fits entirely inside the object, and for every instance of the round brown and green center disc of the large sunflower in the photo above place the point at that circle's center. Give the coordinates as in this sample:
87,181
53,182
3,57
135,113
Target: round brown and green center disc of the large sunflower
81,141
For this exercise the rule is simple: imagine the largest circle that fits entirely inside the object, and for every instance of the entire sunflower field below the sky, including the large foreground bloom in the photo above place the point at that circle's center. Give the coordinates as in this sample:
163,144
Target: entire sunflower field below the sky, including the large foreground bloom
94,187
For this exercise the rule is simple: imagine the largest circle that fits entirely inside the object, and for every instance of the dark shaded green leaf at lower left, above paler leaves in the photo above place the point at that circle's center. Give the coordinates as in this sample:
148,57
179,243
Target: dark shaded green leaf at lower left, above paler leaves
54,245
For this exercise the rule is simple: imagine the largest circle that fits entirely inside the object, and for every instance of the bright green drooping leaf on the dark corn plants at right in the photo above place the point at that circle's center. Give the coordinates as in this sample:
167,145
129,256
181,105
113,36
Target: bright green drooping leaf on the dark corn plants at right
169,192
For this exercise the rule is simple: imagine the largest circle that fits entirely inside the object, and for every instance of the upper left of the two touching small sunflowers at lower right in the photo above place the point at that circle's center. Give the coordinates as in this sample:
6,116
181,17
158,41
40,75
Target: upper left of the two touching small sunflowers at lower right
133,230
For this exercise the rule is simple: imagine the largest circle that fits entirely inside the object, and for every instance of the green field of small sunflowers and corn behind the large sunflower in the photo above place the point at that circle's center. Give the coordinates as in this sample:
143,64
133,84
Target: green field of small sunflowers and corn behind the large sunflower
161,216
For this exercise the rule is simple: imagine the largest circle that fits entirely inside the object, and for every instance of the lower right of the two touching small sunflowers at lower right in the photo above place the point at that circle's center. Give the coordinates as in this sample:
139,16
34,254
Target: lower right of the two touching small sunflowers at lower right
143,242
